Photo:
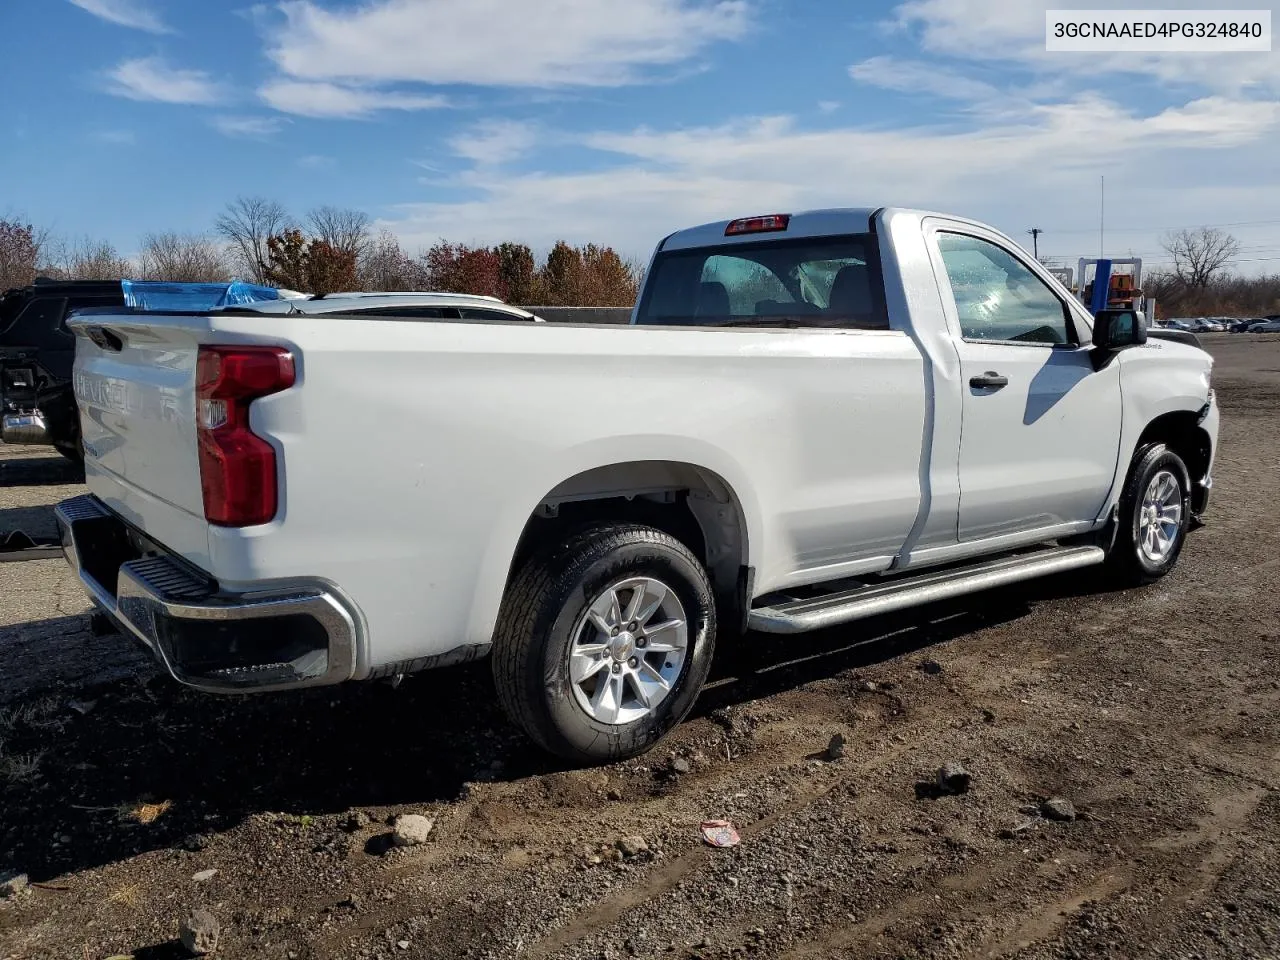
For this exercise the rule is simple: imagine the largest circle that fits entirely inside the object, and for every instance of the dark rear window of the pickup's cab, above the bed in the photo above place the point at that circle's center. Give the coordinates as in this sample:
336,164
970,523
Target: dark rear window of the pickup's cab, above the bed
820,282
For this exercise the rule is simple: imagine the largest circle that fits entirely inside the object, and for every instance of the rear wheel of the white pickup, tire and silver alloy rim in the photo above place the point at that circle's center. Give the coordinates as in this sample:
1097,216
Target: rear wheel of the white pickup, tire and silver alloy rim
587,706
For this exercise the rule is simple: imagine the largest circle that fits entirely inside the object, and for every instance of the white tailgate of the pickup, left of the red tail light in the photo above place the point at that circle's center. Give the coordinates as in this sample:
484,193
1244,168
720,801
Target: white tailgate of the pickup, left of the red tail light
135,381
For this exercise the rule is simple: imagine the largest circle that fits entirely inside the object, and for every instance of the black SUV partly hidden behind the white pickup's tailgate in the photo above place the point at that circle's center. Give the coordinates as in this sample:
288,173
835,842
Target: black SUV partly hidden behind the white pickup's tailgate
38,401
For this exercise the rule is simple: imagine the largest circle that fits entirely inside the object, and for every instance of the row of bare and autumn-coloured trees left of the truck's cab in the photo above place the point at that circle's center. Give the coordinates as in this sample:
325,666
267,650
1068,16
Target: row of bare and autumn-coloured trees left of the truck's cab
328,250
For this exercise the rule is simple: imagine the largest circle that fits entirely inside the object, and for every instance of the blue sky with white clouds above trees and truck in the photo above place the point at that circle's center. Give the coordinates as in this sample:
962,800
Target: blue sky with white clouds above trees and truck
619,121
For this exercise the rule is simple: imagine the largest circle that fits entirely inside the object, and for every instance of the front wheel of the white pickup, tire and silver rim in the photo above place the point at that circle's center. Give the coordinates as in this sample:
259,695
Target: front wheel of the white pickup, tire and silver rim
1137,556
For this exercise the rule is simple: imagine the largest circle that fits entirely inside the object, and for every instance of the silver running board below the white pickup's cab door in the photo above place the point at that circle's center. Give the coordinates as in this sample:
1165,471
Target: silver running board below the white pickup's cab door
871,601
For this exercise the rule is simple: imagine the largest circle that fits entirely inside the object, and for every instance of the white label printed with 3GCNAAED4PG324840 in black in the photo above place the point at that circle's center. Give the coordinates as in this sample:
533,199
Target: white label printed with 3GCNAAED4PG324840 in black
1158,31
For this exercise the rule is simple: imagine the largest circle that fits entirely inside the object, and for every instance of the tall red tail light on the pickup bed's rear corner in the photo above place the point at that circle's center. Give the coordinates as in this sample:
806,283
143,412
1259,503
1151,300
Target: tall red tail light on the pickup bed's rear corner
237,468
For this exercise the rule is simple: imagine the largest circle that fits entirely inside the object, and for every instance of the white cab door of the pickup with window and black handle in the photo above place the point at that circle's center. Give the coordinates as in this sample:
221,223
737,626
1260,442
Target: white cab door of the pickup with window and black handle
1040,427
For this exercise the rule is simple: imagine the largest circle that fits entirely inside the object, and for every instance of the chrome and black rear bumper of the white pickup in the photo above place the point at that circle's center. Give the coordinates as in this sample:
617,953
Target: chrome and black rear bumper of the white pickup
207,638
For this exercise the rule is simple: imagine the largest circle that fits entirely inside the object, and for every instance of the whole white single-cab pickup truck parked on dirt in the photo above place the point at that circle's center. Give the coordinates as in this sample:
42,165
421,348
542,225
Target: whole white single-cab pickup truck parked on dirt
811,419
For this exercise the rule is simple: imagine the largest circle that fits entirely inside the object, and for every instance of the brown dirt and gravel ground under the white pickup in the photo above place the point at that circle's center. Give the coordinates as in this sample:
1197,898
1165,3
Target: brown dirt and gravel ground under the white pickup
1153,711
